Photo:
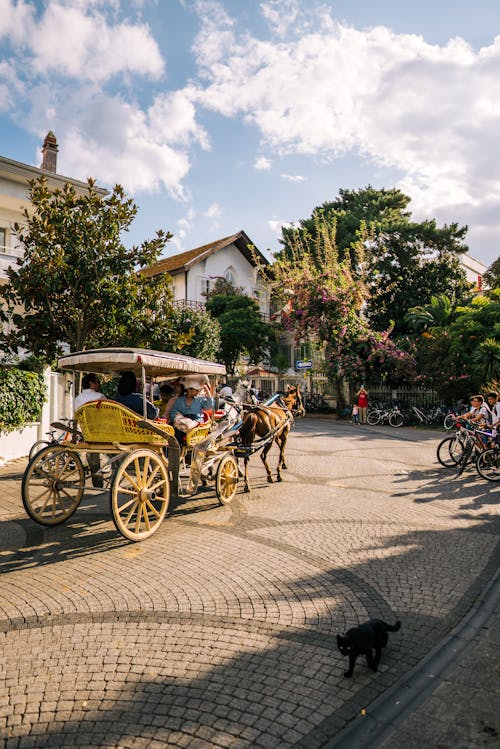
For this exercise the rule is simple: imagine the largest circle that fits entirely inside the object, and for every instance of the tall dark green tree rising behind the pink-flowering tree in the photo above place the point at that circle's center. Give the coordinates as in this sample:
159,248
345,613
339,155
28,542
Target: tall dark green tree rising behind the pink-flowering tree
403,263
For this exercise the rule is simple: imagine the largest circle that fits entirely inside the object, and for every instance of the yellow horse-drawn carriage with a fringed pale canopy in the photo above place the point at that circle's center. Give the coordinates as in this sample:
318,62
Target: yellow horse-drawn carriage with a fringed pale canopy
143,464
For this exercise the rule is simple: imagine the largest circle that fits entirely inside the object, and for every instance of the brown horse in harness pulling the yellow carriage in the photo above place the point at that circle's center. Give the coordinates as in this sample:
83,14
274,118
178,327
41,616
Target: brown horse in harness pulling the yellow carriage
270,424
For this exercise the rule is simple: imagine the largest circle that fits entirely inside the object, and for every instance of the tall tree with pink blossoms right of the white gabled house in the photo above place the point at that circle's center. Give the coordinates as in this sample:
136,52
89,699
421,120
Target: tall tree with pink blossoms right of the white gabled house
324,301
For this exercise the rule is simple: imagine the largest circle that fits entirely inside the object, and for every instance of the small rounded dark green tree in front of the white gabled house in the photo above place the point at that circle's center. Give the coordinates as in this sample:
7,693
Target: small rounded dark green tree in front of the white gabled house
243,333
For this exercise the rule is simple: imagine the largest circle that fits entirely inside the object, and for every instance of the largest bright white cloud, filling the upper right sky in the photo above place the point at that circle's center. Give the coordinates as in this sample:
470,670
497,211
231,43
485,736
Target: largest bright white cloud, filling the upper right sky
430,112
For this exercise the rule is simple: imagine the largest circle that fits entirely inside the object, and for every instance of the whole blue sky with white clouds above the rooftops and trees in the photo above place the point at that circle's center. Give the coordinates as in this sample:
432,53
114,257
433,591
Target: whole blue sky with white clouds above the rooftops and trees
220,115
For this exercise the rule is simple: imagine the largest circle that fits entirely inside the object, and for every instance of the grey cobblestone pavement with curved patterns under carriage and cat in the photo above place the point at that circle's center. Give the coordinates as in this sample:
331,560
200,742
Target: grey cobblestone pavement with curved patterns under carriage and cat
220,629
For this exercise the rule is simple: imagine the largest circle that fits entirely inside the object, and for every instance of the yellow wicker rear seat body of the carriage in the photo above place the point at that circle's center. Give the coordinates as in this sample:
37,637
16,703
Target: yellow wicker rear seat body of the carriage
109,421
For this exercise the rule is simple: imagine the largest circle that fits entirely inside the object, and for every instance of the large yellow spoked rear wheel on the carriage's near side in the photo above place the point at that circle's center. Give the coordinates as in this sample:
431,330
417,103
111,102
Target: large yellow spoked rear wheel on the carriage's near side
140,493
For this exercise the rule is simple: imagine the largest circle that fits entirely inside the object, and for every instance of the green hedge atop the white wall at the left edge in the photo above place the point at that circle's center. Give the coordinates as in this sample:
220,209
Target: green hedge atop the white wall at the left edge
22,395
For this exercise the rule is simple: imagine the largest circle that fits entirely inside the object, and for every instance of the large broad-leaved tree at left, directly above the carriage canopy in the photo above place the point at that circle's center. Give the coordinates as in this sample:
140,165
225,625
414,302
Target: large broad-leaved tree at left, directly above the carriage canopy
77,284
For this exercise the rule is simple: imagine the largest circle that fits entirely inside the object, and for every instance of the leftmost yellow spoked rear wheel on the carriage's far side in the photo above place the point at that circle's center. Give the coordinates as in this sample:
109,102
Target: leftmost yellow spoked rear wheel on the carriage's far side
53,485
